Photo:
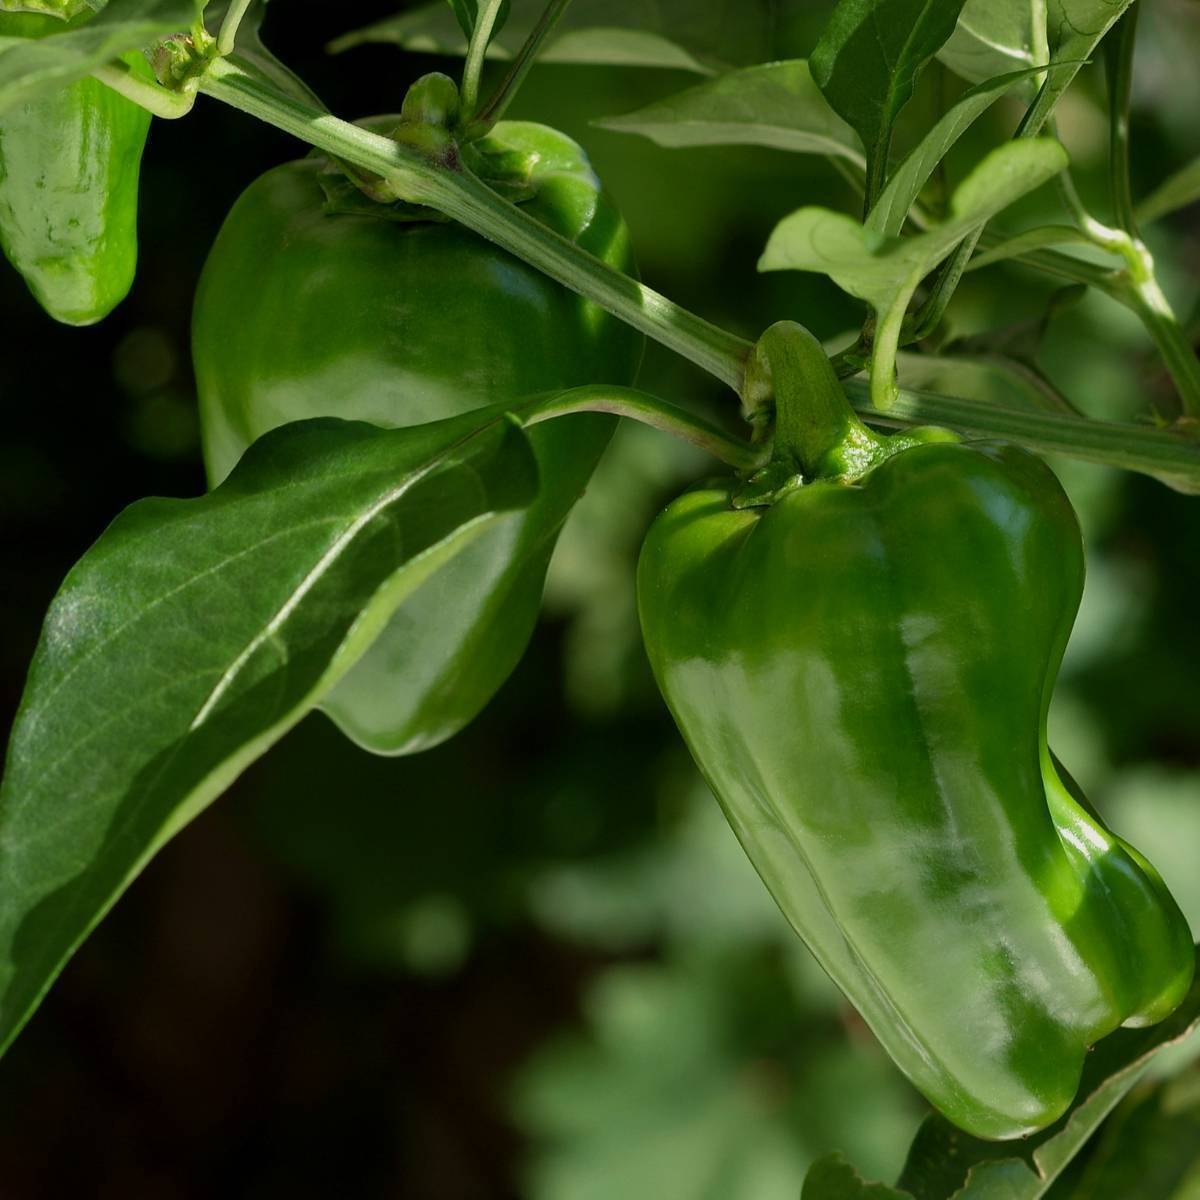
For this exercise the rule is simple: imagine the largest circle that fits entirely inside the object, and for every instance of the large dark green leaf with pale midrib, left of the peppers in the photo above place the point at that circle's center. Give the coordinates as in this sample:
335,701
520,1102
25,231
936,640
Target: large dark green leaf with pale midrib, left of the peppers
196,633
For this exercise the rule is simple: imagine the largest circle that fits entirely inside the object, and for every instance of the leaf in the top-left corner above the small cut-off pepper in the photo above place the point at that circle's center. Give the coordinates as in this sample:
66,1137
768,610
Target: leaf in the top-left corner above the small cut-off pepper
50,63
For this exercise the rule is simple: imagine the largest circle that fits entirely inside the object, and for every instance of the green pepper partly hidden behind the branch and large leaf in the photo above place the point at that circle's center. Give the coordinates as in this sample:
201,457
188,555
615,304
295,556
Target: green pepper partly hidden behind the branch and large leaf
302,314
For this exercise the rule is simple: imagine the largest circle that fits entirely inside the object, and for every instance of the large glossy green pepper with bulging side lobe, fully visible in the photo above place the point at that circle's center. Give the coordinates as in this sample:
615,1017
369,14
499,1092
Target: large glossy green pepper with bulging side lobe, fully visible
862,671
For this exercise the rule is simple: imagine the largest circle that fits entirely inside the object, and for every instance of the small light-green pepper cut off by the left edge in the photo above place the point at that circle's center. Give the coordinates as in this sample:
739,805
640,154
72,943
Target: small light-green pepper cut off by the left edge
69,189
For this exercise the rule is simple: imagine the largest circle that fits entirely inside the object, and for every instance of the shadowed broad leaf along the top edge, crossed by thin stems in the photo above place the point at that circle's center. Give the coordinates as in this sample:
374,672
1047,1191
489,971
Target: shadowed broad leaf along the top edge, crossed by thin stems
686,35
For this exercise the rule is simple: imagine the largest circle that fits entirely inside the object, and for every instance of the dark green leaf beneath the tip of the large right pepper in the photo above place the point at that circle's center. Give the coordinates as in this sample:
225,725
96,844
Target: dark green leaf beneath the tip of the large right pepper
947,1165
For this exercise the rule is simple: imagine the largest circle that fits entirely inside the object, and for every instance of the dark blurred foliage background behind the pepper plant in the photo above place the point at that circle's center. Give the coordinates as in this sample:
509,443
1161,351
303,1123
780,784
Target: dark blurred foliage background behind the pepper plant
535,963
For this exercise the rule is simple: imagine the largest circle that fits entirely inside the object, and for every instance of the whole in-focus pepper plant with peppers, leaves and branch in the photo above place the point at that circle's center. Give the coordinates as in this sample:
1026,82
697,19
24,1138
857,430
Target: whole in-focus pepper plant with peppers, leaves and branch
412,347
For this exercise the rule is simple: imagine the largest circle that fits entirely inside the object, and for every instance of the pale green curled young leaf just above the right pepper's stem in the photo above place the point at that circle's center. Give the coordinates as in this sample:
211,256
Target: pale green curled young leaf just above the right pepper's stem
886,273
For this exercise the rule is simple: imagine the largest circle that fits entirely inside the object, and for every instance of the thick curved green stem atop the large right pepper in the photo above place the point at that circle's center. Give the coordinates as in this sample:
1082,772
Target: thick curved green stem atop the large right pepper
815,427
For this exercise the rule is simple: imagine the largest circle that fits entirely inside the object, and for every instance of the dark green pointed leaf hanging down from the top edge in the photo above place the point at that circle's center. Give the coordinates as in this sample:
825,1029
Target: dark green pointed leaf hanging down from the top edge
869,57
